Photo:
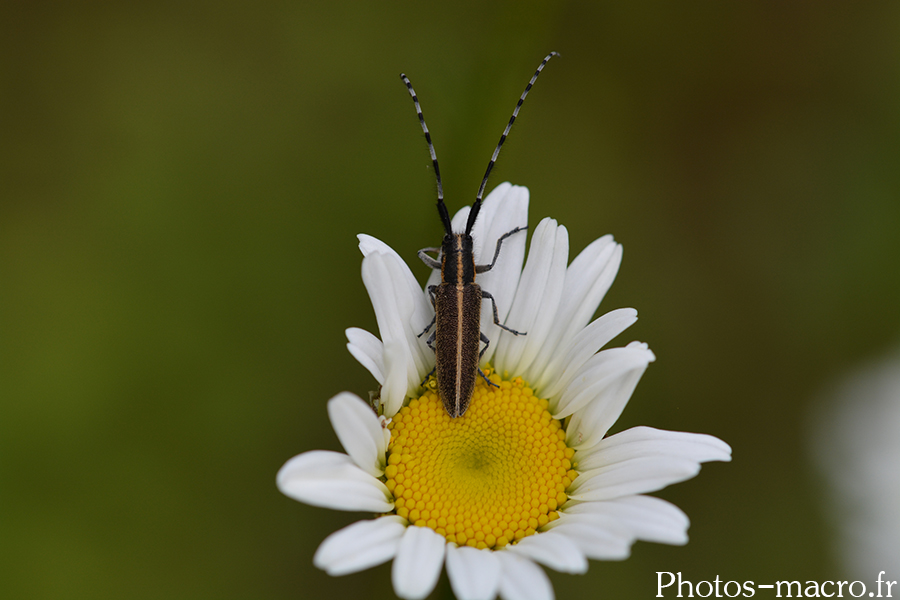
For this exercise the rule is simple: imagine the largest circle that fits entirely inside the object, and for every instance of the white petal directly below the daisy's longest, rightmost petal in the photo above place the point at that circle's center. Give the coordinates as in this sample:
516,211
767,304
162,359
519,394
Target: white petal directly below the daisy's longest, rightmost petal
635,476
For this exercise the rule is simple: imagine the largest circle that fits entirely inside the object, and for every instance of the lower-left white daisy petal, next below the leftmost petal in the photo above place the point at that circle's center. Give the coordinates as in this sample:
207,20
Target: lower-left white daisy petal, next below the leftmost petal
360,546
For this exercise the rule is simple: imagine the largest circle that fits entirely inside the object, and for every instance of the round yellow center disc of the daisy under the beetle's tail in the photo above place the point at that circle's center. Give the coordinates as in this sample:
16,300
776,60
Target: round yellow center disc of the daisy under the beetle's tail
486,479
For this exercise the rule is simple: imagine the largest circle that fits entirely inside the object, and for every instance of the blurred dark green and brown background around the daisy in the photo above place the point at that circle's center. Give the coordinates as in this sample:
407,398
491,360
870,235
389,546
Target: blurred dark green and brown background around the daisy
181,184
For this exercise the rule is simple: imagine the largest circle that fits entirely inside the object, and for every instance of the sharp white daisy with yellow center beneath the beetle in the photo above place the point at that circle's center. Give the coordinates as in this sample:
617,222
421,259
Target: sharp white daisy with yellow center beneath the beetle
527,476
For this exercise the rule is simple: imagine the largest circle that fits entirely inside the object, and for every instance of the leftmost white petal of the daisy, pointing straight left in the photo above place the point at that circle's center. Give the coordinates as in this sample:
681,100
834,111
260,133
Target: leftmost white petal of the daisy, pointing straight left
332,480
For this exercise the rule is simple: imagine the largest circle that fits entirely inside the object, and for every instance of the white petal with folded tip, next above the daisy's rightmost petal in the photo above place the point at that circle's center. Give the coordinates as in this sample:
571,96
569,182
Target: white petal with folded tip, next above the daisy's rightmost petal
589,424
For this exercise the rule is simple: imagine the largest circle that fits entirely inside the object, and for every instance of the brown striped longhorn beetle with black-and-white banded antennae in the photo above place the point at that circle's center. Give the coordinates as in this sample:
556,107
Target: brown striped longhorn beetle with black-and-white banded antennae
457,300
